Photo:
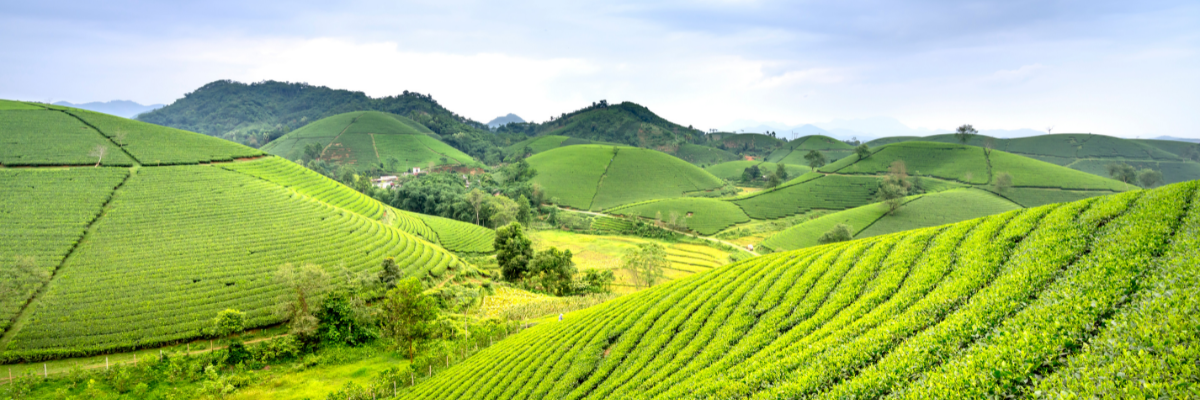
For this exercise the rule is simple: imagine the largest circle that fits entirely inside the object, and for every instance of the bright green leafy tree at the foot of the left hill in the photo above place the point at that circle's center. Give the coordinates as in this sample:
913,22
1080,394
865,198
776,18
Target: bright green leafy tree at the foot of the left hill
407,314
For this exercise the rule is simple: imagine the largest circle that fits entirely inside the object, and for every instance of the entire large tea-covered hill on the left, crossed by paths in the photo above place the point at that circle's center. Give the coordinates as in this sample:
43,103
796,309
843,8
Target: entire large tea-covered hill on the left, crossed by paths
101,277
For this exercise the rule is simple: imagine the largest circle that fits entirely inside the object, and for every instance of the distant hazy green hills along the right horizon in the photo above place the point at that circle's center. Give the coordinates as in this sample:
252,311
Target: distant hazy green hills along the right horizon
1179,162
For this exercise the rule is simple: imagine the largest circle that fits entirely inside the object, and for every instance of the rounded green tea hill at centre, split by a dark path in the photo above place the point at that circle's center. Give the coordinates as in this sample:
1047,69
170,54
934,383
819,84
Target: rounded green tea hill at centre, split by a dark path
601,177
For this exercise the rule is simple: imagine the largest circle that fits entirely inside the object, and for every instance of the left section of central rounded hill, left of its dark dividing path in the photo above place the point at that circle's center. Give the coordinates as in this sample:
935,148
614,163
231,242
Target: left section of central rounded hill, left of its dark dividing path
572,174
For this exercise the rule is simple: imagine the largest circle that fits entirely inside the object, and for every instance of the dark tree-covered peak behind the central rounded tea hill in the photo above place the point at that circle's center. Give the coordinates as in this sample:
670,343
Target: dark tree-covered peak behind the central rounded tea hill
626,123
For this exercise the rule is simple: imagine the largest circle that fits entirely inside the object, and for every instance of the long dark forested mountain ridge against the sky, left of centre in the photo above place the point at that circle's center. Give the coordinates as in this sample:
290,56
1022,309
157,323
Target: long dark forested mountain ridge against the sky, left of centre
260,112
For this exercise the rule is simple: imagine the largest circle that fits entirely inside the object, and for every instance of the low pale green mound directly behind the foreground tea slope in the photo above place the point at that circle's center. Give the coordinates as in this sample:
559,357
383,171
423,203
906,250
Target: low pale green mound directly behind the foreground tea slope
920,212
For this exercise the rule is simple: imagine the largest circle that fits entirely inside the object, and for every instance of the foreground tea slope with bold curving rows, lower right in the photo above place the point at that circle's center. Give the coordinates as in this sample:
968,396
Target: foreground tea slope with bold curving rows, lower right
1085,300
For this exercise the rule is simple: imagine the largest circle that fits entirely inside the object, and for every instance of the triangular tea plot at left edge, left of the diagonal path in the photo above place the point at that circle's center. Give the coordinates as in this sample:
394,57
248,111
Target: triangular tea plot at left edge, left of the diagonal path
44,213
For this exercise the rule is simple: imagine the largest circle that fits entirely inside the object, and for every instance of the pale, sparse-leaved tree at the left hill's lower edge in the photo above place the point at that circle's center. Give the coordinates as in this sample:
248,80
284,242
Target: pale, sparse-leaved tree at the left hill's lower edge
305,289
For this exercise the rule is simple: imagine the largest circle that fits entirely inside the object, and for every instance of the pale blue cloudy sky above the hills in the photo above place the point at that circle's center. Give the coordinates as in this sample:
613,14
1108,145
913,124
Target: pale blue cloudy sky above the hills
1113,68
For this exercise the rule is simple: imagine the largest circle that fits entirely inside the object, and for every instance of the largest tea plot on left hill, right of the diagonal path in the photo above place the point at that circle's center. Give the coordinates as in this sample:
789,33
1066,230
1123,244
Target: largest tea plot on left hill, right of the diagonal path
179,244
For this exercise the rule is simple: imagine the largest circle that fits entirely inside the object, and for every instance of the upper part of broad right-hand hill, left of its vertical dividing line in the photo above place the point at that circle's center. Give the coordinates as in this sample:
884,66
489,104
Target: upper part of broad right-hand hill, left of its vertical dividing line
927,159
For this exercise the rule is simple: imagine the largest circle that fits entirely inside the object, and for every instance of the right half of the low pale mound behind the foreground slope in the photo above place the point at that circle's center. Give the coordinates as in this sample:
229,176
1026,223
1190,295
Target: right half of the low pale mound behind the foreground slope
941,208
